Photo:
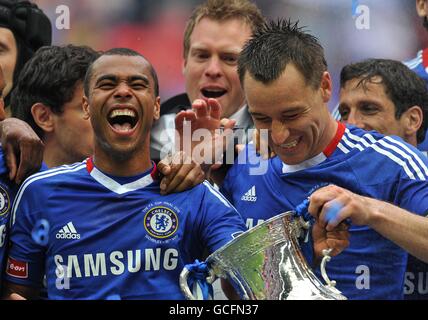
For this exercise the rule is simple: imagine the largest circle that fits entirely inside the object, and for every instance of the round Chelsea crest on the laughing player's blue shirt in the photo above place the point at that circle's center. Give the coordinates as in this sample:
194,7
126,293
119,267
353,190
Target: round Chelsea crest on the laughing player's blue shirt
161,222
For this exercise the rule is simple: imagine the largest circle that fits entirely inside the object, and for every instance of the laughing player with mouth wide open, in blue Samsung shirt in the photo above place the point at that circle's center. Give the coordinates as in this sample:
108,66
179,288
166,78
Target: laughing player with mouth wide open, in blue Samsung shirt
110,230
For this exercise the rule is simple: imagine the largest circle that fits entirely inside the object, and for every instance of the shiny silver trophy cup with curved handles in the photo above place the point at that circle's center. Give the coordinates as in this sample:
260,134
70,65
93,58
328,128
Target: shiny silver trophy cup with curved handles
266,263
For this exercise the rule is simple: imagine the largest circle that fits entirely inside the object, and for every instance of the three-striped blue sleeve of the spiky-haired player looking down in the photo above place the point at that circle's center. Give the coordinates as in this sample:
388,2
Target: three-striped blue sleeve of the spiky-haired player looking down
395,172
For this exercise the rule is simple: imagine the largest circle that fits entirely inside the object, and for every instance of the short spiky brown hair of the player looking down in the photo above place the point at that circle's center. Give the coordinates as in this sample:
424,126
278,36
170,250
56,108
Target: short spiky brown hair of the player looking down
277,44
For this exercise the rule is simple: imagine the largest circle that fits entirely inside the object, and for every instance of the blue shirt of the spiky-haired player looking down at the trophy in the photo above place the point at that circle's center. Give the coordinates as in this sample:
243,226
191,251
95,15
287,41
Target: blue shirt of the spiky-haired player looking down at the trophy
365,163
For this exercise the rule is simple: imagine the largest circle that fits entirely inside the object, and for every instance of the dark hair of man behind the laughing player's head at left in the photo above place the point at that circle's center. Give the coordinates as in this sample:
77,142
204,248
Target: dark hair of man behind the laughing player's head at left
50,77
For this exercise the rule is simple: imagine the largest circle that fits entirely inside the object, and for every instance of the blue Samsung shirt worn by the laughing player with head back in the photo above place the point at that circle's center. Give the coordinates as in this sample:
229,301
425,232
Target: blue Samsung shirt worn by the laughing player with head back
113,236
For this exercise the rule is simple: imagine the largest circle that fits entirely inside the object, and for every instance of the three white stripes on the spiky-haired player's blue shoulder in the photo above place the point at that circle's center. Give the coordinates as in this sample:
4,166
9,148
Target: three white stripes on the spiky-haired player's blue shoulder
394,150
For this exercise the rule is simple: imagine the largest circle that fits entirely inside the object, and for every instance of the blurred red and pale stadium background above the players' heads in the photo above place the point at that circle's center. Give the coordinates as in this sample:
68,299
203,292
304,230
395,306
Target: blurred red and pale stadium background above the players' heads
155,28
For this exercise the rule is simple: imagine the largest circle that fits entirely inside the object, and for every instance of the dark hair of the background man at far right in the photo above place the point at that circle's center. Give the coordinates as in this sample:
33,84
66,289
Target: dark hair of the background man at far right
401,85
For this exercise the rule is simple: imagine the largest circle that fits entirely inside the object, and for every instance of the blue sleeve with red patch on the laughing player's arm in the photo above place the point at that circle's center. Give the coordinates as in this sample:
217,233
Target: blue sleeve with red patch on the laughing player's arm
25,263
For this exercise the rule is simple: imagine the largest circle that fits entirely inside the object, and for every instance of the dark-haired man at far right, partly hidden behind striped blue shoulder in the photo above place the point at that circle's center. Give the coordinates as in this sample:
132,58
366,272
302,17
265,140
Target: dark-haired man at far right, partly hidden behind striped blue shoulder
384,95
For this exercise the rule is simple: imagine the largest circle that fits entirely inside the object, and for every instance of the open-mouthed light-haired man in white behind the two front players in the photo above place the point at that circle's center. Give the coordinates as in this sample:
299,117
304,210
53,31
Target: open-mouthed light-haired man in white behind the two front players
213,38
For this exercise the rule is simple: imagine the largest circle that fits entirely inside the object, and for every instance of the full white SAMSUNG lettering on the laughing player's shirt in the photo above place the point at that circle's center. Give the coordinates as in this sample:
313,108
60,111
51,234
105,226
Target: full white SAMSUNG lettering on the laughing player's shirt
116,263
